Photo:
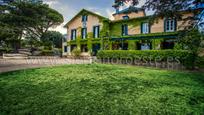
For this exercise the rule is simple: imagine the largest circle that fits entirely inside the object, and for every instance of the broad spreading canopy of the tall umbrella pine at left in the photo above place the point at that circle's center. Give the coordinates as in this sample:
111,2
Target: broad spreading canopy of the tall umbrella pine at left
36,19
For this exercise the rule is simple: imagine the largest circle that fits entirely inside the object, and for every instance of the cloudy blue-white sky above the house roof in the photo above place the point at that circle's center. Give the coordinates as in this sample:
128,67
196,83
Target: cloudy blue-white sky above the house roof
69,8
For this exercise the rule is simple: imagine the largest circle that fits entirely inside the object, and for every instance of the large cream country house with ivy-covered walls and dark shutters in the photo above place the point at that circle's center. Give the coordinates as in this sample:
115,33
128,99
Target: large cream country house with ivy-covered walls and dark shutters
131,29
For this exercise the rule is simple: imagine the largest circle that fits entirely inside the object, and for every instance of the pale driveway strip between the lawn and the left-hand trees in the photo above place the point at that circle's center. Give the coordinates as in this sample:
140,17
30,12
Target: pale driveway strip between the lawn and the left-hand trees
7,65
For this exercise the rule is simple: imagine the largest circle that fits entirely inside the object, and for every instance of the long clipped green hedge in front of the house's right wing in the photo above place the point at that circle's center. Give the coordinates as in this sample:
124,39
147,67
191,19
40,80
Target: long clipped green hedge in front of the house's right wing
183,56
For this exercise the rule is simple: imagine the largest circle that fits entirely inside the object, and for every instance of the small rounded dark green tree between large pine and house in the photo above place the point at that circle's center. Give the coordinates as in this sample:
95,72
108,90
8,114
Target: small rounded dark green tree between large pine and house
52,39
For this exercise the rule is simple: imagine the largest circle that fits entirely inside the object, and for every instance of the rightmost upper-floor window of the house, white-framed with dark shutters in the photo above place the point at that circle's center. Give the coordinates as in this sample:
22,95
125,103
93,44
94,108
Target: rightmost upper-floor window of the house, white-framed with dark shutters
170,25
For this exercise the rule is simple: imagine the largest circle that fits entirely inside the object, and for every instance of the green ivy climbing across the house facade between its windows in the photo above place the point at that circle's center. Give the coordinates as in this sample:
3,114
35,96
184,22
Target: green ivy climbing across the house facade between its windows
113,29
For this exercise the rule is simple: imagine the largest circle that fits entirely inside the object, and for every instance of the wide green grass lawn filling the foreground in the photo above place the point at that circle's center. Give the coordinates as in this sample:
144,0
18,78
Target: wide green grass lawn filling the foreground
101,89
